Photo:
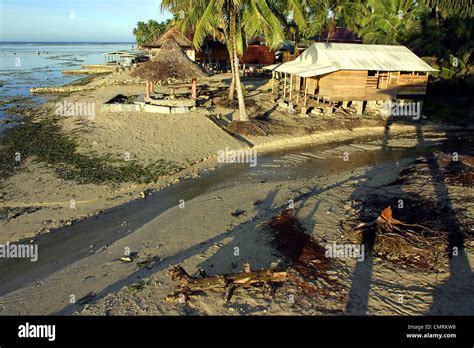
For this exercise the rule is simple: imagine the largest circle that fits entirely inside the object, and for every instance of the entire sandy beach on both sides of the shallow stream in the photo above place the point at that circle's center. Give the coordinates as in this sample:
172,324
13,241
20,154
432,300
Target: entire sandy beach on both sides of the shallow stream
36,201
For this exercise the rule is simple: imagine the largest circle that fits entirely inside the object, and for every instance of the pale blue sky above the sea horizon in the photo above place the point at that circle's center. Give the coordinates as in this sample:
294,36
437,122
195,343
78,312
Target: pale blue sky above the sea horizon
75,20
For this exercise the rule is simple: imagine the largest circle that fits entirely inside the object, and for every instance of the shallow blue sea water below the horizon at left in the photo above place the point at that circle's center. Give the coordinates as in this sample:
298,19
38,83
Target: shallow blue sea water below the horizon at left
21,68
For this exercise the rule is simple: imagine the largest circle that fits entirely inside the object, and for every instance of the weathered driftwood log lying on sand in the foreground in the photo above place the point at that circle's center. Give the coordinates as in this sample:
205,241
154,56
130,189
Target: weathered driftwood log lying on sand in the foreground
188,285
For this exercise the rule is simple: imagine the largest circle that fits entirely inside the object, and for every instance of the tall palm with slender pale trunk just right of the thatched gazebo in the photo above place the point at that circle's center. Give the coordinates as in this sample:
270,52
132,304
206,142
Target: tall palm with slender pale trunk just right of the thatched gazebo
236,20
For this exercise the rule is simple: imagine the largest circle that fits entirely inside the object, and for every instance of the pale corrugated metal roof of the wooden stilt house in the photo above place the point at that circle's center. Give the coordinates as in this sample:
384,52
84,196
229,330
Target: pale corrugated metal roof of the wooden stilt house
322,58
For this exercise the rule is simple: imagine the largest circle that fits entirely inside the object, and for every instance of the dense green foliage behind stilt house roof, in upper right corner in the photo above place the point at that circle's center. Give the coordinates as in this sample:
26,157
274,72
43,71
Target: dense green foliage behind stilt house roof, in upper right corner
428,28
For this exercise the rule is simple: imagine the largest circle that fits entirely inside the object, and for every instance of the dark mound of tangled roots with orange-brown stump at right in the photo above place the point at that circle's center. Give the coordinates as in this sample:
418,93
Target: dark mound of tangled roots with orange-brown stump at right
426,231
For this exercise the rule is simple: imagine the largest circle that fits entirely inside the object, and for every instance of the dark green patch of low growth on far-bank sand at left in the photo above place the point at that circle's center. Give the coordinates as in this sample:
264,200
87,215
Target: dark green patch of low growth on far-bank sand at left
44,140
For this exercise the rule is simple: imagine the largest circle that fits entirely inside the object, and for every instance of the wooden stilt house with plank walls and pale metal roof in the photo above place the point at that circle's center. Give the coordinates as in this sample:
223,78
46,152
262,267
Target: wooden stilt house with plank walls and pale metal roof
342,72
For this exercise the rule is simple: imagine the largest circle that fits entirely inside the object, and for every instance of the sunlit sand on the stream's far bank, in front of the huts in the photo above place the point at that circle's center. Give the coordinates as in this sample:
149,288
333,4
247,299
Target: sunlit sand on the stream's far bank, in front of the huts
36,203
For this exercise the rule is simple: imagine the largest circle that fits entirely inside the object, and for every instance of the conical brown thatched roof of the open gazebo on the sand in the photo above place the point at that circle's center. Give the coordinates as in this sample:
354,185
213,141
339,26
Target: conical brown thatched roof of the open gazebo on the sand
170,62
